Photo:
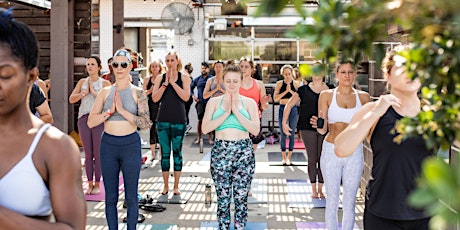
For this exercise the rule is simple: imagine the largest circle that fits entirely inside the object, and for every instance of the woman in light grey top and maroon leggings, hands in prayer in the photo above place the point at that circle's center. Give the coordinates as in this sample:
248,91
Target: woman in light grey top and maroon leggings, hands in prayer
86,91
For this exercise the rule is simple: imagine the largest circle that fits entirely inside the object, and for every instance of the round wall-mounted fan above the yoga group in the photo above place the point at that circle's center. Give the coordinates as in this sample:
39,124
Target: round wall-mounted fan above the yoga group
179,17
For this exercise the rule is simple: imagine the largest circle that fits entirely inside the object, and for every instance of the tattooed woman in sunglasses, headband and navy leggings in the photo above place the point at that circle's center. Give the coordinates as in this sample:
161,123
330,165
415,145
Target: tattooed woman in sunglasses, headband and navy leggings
122,108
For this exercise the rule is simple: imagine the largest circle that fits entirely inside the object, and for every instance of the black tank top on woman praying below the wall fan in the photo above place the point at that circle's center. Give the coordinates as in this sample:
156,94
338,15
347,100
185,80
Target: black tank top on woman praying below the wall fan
172,107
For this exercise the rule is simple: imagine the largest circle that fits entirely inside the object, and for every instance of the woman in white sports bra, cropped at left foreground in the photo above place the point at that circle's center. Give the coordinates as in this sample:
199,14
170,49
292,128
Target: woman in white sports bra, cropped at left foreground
40,168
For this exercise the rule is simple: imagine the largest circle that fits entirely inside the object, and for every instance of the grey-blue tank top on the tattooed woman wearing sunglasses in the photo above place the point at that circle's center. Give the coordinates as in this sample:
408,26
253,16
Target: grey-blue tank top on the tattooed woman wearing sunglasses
128,103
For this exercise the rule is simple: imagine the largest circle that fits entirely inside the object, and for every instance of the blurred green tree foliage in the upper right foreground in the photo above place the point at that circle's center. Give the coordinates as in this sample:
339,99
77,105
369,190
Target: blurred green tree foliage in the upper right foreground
433,27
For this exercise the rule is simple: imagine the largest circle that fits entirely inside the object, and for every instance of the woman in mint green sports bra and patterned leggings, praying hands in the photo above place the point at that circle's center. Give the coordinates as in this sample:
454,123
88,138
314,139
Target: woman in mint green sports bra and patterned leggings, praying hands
233,117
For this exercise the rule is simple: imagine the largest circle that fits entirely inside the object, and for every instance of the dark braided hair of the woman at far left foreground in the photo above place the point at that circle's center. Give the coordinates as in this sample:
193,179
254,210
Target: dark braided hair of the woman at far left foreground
19,38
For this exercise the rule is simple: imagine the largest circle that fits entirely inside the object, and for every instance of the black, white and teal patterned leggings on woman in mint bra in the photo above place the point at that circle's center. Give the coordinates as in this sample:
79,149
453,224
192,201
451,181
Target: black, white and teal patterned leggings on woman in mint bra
232,168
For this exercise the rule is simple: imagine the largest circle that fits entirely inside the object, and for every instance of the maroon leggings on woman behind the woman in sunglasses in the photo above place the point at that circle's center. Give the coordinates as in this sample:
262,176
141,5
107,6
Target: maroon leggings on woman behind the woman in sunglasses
91,138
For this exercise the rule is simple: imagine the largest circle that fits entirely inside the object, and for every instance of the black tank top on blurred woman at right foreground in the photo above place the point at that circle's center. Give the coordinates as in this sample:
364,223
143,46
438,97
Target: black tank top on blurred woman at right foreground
395,168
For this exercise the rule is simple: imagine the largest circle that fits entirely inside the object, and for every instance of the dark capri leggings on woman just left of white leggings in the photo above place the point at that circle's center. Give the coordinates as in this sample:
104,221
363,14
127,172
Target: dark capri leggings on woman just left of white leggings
313,142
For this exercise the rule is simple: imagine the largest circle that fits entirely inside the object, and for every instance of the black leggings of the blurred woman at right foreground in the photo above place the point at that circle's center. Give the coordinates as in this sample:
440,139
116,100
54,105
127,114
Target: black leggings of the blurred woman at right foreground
374,222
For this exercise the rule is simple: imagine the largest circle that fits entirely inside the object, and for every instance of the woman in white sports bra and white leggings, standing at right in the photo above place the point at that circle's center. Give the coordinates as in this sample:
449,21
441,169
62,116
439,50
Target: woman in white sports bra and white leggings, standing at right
337,107
